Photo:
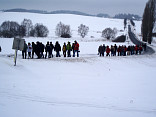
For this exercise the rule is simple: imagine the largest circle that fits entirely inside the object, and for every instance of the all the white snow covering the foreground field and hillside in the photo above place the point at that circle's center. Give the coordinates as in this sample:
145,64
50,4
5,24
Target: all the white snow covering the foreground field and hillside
88,86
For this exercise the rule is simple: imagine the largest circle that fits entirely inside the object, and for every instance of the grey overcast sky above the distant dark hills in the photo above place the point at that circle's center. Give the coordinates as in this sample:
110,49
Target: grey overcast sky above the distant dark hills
110,7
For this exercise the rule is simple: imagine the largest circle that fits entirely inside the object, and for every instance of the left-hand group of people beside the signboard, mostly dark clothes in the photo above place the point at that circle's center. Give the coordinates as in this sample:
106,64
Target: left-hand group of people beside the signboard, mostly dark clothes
39,48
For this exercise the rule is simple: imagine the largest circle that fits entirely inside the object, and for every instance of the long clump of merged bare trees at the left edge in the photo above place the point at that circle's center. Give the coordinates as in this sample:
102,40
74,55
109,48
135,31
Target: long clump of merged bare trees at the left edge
9,29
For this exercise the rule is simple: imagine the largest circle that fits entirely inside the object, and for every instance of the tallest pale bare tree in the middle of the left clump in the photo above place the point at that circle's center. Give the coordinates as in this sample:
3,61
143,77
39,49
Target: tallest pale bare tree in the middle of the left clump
27,24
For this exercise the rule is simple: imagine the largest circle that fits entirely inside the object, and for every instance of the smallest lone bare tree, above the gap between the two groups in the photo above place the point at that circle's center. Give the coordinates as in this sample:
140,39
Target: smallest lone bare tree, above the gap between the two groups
83,30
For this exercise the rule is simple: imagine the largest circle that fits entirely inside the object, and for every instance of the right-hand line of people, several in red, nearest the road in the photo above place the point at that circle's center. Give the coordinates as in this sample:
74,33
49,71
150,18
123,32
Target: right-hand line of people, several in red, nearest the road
121,50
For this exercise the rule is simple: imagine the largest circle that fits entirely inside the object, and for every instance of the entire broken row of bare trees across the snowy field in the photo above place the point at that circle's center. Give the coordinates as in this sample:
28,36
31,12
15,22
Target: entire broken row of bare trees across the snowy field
10,29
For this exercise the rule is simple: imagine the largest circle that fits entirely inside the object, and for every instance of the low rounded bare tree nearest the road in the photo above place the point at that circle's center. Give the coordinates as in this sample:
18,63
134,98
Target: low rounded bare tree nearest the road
108,33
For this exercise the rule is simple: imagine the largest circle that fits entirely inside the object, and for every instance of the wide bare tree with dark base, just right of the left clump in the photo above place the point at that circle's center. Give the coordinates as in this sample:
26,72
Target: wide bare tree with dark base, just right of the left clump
63,30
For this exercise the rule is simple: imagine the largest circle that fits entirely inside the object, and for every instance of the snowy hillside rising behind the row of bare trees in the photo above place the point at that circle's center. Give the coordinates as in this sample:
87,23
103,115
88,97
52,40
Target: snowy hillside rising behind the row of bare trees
51,20
